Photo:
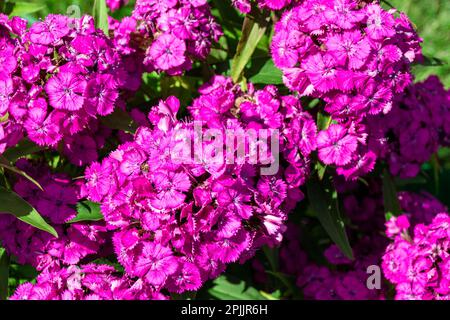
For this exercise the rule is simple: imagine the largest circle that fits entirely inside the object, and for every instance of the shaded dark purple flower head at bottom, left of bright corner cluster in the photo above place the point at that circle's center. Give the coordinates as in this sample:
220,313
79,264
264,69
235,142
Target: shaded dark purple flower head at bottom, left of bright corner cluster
339,278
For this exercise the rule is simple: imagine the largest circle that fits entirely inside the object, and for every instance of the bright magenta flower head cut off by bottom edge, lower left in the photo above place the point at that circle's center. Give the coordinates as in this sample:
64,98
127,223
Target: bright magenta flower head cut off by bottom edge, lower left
84,282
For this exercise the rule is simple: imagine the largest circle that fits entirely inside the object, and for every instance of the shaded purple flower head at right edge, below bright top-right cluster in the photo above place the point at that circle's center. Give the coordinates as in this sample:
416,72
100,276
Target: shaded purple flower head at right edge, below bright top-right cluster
416,127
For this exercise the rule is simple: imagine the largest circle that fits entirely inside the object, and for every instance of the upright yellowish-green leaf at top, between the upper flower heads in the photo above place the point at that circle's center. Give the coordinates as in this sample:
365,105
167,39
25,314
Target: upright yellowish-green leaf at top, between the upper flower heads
253,30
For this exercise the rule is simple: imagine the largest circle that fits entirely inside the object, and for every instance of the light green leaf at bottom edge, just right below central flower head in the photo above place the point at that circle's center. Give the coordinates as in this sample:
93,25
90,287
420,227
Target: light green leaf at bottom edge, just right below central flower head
226,288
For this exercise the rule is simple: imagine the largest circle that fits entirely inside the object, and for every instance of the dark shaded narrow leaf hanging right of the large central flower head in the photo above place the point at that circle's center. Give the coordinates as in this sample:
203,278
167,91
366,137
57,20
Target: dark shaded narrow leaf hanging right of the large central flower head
325,205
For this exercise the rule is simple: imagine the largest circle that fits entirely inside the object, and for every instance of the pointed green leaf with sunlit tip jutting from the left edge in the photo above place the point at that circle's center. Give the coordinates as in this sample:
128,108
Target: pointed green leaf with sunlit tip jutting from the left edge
12,203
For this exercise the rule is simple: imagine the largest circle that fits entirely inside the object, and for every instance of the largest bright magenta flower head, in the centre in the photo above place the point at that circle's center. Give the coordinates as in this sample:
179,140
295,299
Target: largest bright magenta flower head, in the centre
178,218
